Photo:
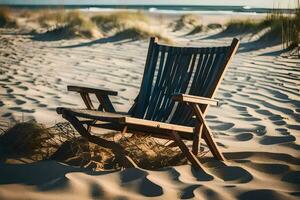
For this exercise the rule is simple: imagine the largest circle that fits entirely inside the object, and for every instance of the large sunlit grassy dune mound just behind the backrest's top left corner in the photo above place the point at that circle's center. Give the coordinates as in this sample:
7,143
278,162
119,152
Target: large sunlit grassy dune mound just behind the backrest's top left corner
134,25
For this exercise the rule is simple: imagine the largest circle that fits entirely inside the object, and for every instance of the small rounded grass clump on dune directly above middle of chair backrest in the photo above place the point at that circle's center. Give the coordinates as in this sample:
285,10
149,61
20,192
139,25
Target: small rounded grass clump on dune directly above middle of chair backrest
187,21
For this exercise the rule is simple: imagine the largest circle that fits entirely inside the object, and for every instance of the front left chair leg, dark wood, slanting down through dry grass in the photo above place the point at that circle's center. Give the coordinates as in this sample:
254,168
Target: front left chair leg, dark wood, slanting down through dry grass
117,149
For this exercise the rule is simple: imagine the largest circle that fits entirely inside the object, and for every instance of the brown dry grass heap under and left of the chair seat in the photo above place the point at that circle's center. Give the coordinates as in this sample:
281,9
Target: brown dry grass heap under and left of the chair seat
32,141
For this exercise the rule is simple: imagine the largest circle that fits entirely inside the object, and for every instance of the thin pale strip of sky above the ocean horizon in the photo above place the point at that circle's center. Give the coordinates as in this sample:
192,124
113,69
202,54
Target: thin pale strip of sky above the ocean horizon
252,3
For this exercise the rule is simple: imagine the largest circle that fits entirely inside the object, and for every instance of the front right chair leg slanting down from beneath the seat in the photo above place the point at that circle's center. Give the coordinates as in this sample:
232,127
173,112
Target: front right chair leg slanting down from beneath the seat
185,150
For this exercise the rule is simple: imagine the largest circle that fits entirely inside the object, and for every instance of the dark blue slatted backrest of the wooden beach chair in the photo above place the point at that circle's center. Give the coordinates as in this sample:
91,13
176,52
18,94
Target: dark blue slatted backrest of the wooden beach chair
187,70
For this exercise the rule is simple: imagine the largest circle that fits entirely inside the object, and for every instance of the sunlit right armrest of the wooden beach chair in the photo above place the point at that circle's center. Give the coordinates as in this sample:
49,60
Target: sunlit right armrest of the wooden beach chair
194,99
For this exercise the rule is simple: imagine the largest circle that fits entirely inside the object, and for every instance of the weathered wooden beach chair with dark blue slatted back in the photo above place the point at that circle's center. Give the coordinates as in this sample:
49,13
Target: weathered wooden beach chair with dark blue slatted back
178,85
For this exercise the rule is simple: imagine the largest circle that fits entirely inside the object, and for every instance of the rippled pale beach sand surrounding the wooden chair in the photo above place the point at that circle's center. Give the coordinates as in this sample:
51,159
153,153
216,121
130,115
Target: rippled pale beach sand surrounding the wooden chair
256,124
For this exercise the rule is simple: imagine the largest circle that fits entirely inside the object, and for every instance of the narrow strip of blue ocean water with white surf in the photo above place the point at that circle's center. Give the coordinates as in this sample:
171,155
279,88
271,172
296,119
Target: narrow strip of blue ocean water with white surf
169,9
